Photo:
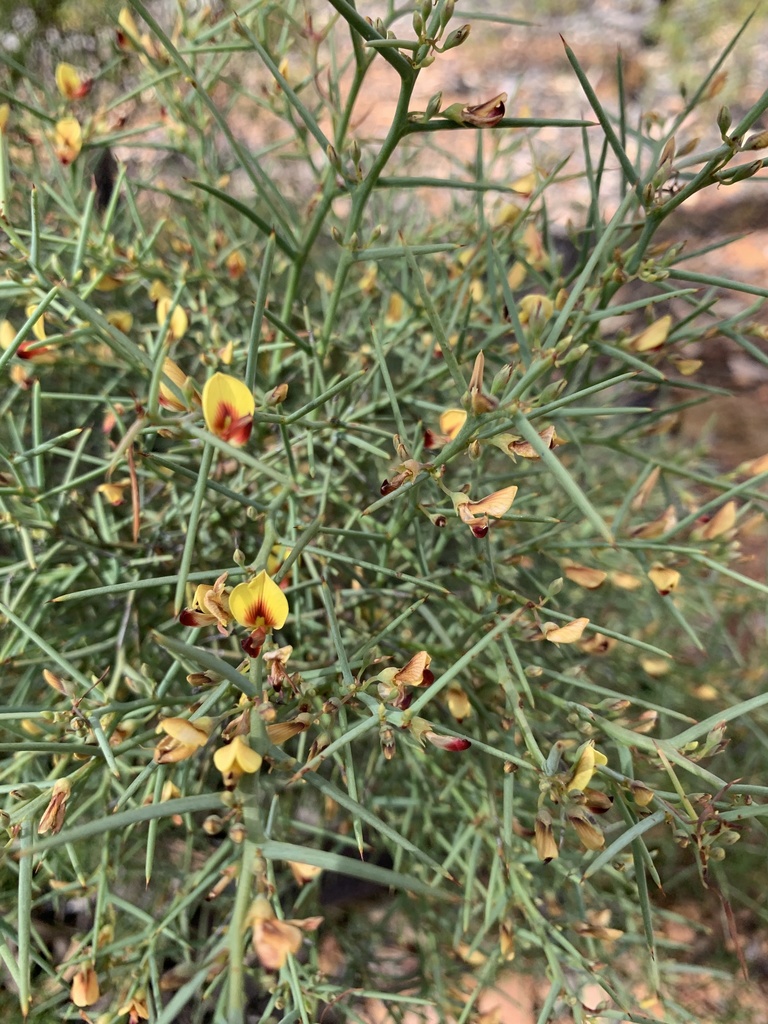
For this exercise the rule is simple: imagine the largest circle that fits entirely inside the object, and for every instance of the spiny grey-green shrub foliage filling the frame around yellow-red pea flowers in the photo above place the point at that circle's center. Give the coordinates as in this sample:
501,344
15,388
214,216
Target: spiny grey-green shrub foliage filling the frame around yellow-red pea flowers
433,718
